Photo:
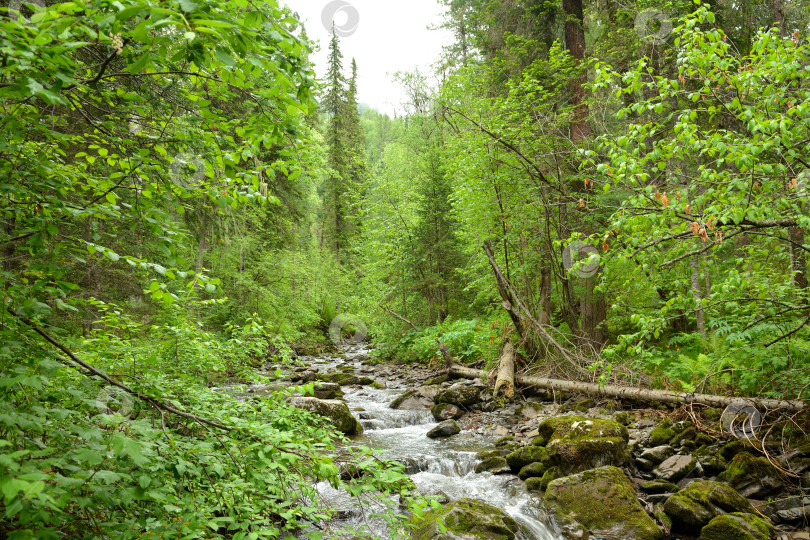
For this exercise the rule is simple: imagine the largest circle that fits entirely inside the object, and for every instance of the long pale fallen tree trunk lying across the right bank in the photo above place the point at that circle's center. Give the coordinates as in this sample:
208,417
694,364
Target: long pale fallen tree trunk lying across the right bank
638,394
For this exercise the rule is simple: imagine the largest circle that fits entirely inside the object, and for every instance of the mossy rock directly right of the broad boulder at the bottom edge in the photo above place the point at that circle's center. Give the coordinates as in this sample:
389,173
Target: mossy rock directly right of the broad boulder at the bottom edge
693,507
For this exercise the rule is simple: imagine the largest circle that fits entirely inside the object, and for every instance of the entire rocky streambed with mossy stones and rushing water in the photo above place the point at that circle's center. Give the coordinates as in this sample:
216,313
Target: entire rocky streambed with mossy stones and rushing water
546,468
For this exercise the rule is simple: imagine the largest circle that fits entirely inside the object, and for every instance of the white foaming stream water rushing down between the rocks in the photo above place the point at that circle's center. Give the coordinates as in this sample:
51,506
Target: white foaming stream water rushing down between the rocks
436,466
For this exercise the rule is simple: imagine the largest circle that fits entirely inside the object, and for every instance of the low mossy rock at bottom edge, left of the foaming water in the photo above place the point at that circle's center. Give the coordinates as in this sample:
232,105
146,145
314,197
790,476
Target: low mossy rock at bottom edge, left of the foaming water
465,519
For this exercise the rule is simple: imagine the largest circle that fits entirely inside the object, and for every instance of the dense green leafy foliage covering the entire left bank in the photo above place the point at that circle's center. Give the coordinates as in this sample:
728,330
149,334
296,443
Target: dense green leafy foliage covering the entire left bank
158,229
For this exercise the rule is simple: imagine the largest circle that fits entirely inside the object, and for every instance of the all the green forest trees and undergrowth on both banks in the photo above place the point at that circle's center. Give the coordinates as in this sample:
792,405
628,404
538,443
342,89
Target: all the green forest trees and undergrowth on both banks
184,200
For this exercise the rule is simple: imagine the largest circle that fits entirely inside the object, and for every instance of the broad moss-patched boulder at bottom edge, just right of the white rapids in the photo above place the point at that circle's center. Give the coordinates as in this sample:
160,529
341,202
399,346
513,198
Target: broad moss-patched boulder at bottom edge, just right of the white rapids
602,502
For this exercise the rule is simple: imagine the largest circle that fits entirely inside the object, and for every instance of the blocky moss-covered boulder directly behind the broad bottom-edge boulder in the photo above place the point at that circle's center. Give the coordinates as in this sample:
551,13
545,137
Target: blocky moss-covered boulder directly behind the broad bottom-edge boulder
576,443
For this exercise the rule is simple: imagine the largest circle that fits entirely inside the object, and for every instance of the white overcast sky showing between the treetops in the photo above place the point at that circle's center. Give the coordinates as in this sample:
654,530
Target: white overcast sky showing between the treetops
392,36
